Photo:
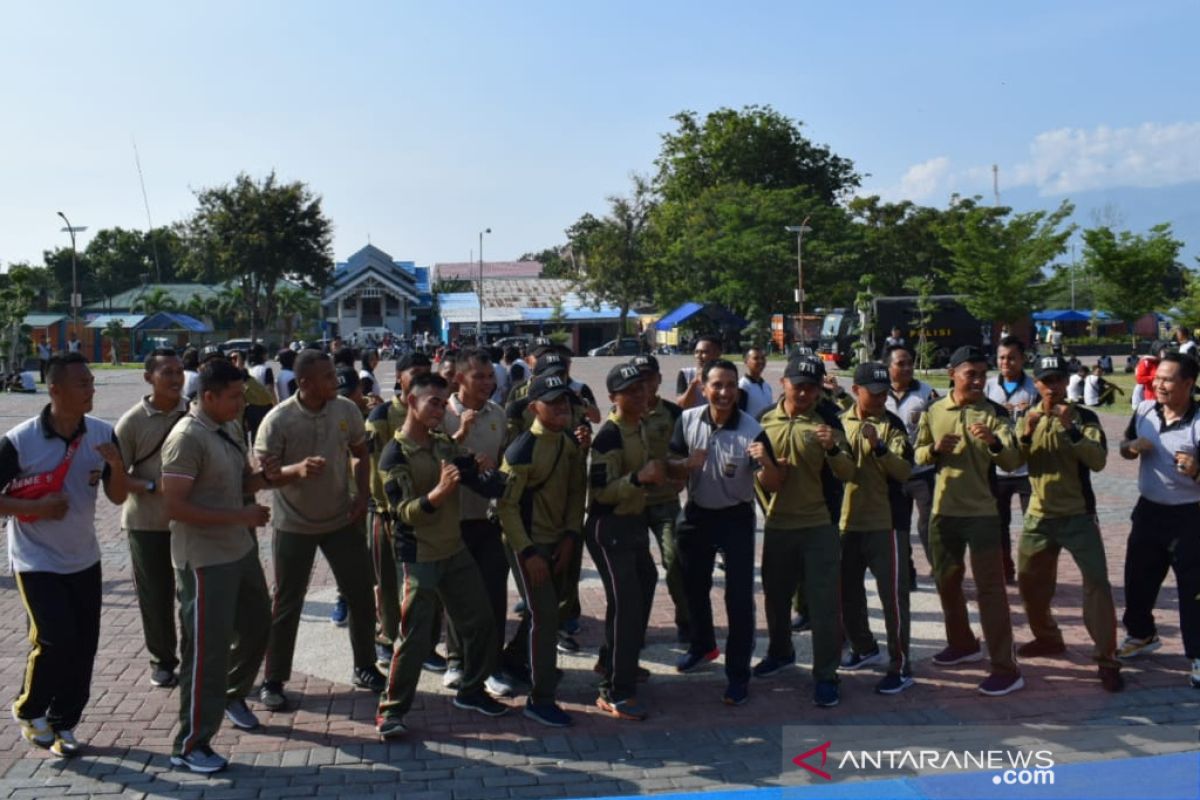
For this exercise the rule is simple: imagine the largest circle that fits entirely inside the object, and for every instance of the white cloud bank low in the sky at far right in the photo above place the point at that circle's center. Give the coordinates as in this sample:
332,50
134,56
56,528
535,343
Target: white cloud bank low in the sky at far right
1069,161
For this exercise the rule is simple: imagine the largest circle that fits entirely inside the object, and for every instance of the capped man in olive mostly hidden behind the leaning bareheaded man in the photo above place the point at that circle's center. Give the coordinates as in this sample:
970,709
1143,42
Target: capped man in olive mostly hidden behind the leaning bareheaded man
383,423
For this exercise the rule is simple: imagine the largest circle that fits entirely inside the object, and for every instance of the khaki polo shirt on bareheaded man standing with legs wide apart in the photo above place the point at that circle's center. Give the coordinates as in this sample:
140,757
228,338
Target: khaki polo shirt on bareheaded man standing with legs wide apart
292,434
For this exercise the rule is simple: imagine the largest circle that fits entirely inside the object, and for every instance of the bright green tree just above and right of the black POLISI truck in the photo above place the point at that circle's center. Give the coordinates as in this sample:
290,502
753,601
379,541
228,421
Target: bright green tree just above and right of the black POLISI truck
998,258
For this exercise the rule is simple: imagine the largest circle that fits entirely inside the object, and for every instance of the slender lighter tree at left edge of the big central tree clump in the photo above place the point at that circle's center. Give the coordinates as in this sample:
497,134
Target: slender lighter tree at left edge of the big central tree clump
613,252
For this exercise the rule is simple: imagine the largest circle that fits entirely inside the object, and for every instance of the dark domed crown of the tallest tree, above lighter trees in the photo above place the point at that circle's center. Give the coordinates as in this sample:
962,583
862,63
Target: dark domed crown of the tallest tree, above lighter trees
755,147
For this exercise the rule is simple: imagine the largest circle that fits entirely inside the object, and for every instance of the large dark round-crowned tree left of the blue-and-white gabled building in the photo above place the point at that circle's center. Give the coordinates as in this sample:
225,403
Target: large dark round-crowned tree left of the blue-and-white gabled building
254,234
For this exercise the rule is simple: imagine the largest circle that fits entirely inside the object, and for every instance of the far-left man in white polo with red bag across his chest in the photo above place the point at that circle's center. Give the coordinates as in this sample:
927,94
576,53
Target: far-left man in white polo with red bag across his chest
51,468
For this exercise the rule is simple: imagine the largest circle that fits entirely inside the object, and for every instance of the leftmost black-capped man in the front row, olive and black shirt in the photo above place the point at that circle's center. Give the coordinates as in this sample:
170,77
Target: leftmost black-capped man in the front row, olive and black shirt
542,514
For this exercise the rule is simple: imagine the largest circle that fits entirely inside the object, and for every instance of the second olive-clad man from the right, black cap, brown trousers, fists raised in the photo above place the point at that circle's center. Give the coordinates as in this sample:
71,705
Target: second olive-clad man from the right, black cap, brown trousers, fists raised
965,436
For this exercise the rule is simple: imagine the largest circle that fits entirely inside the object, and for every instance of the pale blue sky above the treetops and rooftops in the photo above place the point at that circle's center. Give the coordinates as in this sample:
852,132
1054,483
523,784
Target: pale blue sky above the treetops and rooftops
421,125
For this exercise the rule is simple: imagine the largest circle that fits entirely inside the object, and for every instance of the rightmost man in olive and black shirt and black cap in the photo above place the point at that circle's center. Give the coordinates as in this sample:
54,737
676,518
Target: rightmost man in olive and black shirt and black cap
1064,444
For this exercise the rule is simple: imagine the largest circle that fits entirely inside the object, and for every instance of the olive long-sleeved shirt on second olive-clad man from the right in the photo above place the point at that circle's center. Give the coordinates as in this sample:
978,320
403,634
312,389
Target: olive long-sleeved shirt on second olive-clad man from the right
963,486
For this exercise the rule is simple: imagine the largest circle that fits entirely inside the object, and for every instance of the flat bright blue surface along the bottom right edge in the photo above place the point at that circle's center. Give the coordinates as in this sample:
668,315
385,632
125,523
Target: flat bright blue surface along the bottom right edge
1151,778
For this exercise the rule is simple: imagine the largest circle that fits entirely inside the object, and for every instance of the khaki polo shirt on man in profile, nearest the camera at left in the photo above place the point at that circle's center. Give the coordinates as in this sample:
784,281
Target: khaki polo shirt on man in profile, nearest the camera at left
213,458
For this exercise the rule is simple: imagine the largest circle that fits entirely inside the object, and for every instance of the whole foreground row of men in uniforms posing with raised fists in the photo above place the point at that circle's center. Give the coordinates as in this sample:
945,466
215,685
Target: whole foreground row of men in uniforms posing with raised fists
441,494
